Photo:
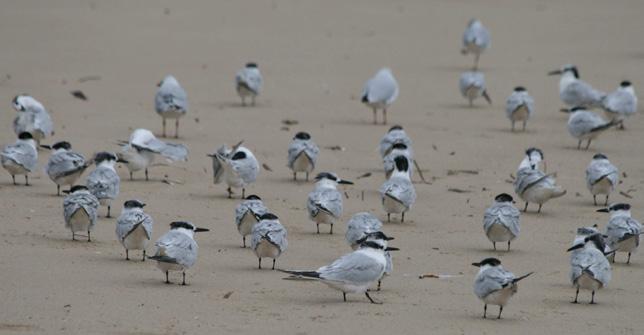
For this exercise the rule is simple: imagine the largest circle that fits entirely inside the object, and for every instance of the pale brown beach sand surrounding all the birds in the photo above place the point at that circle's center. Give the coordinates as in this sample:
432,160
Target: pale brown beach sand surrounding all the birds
315,57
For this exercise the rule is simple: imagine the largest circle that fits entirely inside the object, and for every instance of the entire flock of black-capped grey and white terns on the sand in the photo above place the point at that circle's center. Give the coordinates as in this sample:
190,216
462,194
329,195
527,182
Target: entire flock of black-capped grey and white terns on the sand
371,260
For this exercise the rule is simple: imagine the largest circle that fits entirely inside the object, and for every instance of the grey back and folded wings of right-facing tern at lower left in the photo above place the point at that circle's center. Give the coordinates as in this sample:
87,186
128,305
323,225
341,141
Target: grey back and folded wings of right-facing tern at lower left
178,246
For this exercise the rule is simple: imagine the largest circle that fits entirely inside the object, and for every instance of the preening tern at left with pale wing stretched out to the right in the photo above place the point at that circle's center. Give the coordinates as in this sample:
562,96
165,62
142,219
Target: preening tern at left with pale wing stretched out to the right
139,152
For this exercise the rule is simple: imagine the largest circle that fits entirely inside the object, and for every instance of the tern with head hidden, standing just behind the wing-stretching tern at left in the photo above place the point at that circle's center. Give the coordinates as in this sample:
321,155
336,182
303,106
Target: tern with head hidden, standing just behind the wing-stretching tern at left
171,102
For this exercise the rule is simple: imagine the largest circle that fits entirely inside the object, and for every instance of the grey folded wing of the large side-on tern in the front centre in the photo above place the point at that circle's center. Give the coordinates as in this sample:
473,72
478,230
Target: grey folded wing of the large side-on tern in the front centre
355,267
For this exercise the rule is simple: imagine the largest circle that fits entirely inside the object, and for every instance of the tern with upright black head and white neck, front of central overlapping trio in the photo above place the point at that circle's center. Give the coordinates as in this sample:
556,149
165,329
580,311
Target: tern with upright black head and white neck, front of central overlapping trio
397,193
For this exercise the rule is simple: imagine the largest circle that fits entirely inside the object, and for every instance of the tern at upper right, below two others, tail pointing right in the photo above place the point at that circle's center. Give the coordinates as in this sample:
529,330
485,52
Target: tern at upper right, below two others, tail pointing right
585,125
